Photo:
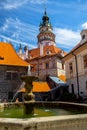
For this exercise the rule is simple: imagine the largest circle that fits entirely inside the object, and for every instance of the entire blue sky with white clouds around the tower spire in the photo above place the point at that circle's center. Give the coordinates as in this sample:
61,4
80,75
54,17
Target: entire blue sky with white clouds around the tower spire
20,19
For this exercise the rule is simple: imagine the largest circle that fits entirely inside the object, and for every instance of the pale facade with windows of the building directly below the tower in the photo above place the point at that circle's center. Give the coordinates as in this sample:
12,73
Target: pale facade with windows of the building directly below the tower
47,66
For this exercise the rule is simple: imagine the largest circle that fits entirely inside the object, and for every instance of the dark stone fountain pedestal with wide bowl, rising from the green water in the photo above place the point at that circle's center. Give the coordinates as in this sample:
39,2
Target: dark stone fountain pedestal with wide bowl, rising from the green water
29,100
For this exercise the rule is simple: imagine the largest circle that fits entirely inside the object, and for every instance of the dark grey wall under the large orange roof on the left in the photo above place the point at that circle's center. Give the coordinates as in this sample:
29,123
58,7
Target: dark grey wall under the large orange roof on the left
10,85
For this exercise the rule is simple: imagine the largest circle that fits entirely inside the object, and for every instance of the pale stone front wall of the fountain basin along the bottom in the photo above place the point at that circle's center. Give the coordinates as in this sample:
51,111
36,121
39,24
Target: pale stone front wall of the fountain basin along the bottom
74,122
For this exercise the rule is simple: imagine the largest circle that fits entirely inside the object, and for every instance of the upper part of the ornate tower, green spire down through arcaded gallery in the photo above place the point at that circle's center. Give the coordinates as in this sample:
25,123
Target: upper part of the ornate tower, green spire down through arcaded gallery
46,37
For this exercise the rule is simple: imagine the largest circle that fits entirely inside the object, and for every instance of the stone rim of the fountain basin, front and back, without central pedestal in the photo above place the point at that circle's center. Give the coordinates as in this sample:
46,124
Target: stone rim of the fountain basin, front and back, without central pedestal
64,122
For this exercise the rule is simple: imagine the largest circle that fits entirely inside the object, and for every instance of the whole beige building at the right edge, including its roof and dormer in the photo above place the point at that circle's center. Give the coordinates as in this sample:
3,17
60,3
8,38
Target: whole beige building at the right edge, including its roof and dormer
76,67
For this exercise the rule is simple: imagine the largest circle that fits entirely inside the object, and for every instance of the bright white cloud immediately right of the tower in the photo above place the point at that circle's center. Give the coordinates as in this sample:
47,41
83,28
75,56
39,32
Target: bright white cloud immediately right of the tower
66,38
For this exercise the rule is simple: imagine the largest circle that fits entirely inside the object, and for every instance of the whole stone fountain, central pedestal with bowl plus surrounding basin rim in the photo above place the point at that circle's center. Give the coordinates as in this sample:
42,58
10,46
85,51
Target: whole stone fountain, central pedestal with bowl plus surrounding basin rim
64,122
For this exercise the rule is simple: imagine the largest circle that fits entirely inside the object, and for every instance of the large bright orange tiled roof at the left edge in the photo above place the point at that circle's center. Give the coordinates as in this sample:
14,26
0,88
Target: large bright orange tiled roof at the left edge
8,56
